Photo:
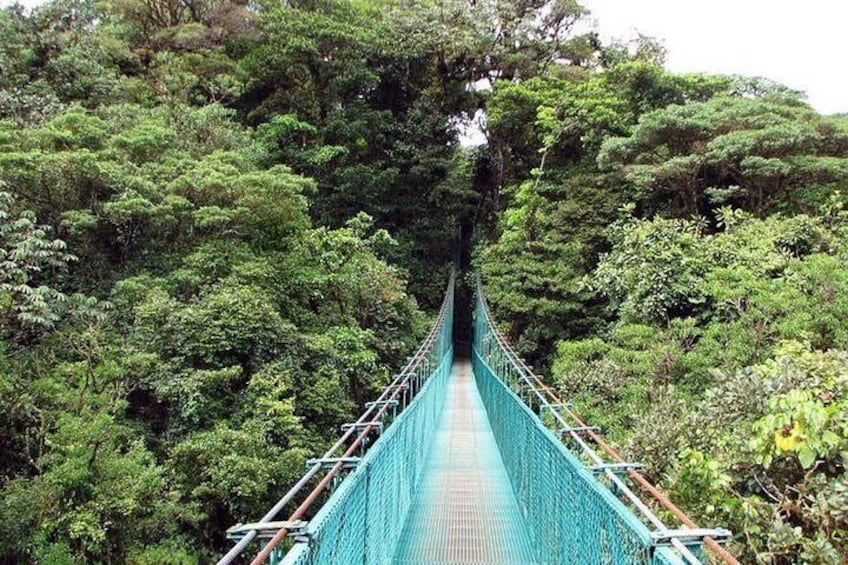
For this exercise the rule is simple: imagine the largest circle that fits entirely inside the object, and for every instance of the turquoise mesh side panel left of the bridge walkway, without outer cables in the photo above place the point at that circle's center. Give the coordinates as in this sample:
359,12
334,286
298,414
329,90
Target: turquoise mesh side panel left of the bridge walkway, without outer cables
361,522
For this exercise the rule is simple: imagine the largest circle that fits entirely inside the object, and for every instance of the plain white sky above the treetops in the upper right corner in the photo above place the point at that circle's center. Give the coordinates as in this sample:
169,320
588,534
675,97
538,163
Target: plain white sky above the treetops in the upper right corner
803,45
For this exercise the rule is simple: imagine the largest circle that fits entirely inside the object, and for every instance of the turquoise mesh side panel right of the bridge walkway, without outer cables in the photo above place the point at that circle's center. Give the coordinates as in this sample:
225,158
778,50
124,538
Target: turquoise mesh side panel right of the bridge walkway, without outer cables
571,517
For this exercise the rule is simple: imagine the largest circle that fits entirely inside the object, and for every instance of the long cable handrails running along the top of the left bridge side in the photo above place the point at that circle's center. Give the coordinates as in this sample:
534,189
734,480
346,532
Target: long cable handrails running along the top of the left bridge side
370,420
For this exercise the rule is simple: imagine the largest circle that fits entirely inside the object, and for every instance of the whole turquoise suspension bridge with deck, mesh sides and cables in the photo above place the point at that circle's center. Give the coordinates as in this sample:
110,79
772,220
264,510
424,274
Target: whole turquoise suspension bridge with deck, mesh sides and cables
473,461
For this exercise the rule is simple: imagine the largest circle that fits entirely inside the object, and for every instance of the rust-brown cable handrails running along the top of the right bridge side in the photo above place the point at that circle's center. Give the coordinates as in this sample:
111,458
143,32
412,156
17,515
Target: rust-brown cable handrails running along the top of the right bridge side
548,397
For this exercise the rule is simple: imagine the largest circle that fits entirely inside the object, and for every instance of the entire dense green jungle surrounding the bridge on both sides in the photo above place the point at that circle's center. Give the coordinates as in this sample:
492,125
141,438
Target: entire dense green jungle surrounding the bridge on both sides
224,223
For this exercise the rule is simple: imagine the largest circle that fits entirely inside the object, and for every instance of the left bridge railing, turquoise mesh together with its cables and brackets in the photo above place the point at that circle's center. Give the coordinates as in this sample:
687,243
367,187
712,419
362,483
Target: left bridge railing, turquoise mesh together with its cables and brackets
372,470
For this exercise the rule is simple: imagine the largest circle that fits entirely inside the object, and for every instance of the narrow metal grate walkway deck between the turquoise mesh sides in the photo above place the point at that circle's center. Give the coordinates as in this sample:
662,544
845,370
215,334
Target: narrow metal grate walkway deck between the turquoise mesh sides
465,511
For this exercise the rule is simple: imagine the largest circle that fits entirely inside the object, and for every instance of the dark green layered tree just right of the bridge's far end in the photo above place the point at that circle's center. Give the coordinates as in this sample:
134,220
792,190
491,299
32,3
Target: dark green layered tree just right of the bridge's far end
534,272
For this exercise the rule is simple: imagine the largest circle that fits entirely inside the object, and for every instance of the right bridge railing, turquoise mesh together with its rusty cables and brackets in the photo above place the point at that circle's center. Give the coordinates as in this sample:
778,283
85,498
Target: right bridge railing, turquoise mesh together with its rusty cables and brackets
578,495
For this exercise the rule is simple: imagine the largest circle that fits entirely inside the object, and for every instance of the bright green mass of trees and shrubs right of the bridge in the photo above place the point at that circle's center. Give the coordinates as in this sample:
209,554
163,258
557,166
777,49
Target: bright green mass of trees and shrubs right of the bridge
660,240
